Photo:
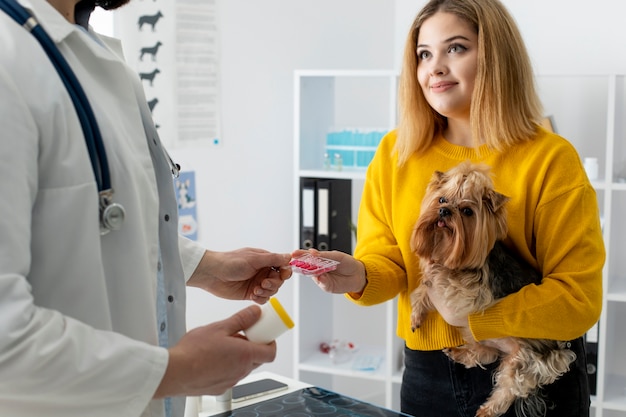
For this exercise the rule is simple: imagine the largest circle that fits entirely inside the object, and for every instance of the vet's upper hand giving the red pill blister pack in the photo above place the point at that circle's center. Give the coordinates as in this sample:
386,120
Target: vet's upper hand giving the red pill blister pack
243,274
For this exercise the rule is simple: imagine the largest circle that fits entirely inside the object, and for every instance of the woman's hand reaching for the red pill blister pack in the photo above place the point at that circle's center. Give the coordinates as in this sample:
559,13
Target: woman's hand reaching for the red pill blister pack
349,277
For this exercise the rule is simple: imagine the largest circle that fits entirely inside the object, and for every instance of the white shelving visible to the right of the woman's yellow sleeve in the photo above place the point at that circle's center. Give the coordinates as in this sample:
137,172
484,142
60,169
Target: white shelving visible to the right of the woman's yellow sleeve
590,111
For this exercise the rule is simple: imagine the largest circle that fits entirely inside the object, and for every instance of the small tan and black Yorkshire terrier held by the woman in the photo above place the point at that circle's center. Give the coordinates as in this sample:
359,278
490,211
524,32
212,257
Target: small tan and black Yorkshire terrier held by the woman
458,238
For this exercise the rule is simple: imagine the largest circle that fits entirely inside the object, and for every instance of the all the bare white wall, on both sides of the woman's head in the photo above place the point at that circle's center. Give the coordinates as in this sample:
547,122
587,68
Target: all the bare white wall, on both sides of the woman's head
244,187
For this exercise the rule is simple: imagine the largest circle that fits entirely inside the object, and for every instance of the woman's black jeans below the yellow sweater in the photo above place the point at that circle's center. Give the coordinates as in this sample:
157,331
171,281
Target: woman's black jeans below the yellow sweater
435,386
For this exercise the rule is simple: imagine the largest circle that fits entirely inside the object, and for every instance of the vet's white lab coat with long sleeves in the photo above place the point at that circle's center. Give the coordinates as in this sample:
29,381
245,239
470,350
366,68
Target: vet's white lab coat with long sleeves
78,325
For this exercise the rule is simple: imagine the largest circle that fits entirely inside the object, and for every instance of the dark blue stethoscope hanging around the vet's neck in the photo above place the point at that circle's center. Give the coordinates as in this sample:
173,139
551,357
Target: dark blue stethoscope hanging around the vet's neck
111,214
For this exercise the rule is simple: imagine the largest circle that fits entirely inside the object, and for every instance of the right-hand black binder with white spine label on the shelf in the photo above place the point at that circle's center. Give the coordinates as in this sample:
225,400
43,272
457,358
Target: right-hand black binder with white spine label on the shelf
334,205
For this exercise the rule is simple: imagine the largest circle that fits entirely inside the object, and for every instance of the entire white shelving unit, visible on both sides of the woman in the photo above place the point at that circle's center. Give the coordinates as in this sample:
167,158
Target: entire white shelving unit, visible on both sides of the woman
589,110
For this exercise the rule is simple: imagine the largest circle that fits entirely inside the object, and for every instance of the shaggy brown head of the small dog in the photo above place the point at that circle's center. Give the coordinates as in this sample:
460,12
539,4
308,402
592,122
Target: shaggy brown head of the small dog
461,218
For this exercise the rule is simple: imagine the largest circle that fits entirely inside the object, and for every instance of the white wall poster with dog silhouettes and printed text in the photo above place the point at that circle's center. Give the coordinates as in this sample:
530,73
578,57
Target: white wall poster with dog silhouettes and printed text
174,47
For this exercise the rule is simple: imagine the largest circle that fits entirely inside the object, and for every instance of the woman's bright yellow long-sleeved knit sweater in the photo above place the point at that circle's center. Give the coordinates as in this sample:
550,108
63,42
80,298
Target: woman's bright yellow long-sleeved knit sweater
553,223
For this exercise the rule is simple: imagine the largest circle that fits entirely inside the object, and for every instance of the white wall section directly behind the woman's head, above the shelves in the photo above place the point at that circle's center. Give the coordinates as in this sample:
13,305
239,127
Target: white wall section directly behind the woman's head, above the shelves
562,36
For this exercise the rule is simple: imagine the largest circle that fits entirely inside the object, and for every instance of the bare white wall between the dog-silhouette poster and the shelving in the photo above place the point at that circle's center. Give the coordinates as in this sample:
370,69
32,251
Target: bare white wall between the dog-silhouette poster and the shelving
245,187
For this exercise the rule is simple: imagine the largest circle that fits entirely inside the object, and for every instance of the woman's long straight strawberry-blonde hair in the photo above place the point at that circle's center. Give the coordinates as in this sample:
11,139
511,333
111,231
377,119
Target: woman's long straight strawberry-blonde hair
505,106
